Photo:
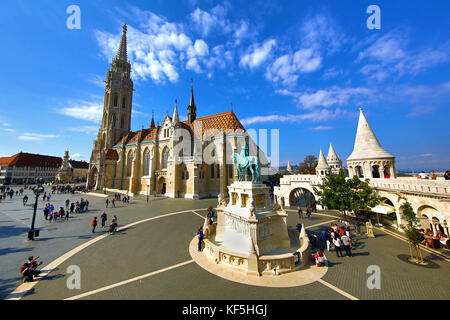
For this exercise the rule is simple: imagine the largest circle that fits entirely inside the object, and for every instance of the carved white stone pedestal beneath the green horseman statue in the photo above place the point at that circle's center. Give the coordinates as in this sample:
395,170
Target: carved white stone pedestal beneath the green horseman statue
252,235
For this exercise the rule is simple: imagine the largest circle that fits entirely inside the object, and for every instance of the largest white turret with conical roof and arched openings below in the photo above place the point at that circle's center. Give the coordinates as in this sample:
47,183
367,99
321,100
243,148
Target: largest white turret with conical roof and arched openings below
369,159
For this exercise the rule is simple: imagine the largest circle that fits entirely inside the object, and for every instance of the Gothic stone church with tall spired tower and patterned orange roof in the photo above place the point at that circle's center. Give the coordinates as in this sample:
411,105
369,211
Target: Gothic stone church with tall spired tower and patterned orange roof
187,159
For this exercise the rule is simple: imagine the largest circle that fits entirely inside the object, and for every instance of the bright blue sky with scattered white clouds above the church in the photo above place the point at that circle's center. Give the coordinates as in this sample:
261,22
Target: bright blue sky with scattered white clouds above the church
303,67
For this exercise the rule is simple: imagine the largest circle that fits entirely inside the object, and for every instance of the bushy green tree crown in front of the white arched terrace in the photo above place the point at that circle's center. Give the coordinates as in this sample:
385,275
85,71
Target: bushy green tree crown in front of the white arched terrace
337,192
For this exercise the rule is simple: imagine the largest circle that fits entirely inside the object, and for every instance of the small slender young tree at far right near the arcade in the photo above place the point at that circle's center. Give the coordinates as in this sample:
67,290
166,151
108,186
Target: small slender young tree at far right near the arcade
411,229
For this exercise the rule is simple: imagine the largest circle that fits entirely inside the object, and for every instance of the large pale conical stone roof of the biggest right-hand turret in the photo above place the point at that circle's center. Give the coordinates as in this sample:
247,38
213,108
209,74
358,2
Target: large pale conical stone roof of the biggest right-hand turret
366,143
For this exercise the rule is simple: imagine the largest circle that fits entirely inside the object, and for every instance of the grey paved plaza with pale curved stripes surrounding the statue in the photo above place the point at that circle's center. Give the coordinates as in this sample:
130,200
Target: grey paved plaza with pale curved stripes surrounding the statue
150,259
